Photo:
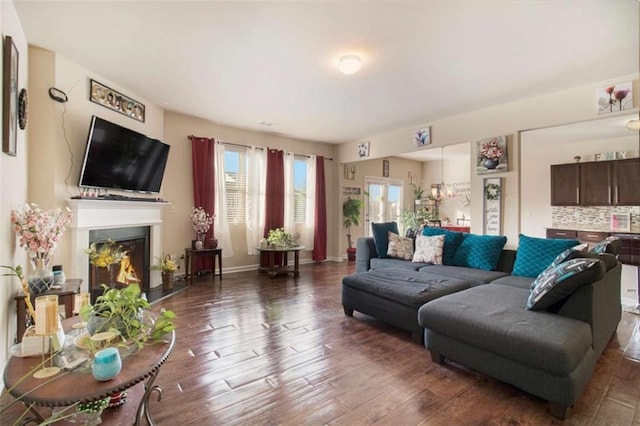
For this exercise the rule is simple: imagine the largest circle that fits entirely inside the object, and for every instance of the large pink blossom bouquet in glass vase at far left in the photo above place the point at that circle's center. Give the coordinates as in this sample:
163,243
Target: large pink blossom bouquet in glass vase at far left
39,231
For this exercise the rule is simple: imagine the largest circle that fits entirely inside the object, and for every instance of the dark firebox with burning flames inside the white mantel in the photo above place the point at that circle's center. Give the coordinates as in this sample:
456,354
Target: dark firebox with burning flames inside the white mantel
133,268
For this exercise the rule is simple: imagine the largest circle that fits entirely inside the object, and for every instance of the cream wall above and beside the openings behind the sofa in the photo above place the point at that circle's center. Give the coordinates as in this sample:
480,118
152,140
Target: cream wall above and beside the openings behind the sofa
567,106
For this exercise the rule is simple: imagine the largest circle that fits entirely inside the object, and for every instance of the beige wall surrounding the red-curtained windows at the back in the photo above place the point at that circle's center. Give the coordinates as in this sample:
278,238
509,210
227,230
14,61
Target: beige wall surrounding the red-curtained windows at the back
178,187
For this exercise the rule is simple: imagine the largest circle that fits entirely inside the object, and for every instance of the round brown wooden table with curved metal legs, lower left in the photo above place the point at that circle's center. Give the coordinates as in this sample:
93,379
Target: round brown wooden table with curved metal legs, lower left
69,387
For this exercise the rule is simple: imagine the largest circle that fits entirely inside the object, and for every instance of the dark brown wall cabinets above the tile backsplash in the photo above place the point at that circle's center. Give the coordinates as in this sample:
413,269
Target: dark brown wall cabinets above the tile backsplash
598,183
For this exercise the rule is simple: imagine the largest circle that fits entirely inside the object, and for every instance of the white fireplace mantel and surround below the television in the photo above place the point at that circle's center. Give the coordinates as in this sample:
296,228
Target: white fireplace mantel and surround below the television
92,218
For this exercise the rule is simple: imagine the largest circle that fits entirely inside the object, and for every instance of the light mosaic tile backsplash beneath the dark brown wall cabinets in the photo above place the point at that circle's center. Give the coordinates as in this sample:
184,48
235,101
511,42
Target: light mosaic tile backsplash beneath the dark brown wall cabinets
592,218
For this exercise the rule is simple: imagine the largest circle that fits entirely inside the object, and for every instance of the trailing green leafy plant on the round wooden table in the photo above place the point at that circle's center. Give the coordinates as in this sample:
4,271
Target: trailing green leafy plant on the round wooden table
124,312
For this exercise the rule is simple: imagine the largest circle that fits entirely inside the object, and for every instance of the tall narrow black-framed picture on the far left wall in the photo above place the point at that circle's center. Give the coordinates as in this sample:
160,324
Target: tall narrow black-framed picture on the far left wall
10,57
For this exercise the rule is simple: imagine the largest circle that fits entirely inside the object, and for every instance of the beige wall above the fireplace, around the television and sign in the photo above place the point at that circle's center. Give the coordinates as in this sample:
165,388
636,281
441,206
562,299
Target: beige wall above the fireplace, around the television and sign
58,132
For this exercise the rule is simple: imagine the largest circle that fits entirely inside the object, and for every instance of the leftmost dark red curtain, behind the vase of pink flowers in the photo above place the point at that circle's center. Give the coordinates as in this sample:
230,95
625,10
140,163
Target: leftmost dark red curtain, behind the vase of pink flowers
204,184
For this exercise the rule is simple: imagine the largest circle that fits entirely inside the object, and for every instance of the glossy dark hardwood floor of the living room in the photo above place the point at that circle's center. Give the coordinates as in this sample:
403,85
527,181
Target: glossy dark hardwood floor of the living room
253,350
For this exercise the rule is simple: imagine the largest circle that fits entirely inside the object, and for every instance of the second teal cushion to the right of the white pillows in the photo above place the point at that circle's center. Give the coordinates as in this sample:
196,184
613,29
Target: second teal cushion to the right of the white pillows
479,251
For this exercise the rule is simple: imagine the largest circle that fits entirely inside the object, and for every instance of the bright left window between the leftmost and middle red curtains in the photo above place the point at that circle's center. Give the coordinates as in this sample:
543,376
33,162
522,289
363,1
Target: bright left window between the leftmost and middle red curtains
235,174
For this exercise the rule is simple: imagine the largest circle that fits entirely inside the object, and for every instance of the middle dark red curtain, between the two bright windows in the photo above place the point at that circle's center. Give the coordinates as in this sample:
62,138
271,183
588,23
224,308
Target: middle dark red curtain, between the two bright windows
274,206
